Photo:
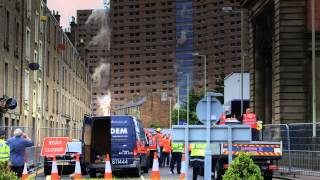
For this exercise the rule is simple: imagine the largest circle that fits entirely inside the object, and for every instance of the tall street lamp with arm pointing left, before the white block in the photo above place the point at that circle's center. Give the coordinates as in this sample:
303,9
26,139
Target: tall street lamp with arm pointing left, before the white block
229,9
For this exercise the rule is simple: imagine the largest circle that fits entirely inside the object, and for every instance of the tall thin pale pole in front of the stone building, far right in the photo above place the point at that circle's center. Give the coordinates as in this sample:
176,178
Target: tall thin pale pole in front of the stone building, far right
314,98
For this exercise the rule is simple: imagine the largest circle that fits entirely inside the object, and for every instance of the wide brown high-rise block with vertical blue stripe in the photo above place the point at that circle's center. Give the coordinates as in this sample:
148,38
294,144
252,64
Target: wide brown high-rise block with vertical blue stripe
153,42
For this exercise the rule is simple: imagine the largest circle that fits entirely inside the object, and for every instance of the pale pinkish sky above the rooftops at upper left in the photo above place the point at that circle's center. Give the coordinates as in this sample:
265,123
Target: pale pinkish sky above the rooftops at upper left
68,8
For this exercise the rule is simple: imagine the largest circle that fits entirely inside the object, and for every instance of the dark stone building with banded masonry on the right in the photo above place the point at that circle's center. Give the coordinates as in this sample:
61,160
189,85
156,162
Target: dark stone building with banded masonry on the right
280,59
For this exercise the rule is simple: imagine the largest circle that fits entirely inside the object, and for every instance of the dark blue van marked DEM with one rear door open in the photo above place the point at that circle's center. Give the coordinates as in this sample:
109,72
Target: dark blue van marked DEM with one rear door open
122,137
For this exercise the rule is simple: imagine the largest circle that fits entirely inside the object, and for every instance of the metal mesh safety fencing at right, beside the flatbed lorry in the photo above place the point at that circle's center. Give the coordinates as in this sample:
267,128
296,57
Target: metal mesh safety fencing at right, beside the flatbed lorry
301,151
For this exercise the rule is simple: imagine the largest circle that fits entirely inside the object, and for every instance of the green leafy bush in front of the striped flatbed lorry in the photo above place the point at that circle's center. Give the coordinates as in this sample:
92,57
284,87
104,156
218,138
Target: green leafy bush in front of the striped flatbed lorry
243,168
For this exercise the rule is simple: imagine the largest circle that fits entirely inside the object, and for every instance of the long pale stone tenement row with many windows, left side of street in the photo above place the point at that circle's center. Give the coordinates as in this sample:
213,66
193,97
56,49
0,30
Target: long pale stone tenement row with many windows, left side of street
57,95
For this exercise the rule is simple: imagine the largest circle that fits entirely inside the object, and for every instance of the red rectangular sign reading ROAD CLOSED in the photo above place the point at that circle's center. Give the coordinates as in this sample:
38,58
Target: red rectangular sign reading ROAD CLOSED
53,146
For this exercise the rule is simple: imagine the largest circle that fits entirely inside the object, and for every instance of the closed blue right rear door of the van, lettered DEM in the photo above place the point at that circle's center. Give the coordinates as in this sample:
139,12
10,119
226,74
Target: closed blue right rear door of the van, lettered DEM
123,139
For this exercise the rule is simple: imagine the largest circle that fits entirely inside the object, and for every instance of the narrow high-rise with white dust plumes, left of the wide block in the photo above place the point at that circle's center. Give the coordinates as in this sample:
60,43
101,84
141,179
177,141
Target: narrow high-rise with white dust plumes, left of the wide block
95,55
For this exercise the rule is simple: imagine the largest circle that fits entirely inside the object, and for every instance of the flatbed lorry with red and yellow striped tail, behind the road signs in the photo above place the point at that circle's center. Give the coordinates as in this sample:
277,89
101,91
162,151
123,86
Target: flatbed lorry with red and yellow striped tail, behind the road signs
263,153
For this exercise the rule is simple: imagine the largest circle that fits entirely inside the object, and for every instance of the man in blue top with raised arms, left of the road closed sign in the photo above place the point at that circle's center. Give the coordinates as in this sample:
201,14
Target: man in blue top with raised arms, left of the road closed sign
18,144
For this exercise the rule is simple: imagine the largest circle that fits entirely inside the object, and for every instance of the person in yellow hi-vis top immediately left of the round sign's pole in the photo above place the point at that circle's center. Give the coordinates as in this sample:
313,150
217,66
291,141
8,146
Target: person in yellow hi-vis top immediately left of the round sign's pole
198,152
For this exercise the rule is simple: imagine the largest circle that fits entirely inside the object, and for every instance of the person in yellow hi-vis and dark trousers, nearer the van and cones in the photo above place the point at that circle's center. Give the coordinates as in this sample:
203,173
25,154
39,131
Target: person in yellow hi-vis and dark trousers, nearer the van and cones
176,156
